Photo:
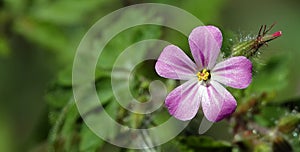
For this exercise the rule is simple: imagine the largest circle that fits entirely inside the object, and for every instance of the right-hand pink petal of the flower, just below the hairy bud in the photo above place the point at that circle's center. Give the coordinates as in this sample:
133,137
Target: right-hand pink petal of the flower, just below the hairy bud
235,72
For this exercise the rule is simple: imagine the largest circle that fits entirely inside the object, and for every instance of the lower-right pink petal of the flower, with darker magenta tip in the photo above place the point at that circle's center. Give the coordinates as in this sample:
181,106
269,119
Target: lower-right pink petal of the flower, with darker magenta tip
217,102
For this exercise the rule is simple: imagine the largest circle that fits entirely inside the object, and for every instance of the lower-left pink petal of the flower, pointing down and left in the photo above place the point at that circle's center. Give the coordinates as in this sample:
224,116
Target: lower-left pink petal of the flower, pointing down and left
184,101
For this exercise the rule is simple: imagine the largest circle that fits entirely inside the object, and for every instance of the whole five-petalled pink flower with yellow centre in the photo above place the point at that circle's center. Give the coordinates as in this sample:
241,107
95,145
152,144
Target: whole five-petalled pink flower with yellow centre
204,78
